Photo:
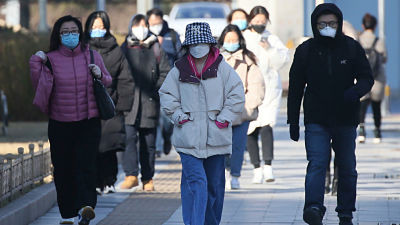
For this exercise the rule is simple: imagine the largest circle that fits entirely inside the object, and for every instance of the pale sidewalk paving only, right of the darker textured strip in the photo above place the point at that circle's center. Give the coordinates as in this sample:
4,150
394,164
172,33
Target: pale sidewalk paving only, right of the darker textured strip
378,200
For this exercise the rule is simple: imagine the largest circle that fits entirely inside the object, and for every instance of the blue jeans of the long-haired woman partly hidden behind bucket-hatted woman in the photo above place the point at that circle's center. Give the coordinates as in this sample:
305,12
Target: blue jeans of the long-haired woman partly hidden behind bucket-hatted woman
239,140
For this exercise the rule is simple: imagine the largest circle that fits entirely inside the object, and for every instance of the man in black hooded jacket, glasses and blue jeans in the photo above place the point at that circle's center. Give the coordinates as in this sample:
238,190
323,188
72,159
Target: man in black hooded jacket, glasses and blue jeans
325,67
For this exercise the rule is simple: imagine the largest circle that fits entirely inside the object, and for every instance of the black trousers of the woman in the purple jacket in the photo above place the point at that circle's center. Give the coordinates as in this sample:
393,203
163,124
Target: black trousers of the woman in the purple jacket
74,146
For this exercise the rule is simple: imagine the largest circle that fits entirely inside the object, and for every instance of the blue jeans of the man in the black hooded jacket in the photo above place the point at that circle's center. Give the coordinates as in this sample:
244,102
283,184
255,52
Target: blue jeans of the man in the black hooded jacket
319,141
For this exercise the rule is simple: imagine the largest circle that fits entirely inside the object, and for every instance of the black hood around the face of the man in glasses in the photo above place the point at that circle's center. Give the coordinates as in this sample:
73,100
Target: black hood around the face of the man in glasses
323,9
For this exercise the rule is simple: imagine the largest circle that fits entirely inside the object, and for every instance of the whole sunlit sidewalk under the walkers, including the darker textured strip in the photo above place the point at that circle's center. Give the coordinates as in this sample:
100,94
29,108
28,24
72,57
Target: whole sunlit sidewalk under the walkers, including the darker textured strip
378,199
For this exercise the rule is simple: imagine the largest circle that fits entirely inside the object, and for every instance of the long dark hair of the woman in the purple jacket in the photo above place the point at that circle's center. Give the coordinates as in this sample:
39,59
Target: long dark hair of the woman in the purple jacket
55,40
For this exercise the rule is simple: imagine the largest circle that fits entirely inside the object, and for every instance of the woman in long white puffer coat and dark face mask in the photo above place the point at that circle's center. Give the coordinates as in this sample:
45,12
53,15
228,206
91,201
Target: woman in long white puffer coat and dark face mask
271,54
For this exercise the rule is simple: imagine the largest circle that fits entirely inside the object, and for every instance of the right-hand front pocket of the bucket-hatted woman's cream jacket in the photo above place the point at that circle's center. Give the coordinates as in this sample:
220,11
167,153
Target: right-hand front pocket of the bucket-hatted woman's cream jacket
217,137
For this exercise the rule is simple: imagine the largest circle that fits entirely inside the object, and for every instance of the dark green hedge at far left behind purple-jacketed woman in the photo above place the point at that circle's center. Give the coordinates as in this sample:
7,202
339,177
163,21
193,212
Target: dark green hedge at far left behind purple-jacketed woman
15,51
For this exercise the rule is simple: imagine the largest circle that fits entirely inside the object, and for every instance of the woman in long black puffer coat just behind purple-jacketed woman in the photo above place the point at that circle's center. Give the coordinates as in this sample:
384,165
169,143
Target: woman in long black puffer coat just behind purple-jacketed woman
99,38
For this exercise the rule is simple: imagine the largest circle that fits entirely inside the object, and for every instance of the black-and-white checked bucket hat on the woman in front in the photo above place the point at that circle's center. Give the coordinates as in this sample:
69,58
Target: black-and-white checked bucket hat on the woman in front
198,33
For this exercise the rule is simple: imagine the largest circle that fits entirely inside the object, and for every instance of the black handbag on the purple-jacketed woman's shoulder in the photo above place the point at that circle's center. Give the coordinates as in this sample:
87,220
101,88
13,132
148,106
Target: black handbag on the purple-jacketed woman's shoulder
104,102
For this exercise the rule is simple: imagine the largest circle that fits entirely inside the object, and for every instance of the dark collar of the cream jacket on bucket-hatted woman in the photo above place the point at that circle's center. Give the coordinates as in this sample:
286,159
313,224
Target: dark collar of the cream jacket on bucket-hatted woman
187,75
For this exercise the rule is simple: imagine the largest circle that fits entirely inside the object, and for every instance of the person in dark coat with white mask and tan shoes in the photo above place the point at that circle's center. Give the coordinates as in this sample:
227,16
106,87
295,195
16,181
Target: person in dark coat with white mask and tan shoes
149,67
